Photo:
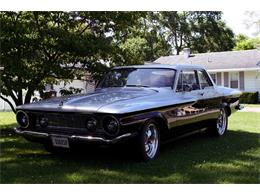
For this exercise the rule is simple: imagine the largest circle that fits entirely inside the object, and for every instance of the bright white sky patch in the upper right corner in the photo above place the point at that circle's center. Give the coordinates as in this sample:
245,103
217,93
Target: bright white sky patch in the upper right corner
236,21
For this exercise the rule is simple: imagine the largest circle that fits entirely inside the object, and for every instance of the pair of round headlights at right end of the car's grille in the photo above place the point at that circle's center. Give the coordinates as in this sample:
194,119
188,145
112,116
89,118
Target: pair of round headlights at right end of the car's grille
110,125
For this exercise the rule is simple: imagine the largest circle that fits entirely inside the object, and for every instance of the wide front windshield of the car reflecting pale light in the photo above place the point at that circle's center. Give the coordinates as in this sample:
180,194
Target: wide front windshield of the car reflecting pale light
139,77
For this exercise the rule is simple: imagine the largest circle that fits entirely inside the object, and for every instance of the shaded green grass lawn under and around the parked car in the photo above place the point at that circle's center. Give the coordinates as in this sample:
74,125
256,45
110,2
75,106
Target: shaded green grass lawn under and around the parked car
233,158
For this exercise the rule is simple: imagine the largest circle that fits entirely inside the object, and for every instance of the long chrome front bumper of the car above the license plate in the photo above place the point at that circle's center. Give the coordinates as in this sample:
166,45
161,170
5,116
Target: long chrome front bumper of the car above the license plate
75,137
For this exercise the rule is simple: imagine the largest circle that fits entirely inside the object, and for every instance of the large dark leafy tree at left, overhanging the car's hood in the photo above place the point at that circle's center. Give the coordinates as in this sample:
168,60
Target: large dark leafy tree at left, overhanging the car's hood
43,47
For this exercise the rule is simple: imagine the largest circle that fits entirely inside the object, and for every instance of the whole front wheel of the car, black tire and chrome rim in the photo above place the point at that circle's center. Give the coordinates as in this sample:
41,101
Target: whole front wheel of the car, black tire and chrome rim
149,141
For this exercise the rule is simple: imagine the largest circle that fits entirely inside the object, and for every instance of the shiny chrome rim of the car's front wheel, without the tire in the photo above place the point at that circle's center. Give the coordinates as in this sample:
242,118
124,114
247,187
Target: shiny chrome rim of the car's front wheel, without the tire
151,140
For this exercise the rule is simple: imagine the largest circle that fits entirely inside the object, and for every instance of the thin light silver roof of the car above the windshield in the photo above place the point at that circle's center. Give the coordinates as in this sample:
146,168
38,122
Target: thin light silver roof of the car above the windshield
168,66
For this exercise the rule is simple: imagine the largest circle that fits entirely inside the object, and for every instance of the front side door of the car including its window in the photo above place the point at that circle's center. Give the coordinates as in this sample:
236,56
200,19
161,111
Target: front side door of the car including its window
188,117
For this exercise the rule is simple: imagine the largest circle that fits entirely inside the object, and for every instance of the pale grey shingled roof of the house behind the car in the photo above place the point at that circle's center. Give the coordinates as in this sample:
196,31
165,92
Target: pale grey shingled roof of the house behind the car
218,61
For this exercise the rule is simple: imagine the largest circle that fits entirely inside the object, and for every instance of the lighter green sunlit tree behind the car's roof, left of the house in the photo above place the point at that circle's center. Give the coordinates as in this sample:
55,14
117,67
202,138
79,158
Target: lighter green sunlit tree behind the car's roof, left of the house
143,41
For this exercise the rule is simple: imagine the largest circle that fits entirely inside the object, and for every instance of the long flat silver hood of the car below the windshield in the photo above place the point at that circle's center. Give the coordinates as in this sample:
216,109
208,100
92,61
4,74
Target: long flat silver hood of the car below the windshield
91,102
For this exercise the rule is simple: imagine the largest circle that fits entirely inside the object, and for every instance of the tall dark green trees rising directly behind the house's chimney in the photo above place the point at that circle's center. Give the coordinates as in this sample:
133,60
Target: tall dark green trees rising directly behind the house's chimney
201,31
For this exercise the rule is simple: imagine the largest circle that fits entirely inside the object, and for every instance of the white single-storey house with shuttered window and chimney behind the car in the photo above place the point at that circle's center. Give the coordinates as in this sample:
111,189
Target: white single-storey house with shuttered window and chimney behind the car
235,69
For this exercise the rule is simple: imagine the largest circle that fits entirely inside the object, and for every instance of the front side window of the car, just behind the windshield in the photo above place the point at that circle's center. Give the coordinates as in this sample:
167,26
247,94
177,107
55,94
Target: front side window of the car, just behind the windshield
187,81
